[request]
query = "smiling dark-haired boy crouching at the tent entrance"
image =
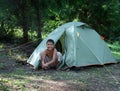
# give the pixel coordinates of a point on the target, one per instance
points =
(50, 57)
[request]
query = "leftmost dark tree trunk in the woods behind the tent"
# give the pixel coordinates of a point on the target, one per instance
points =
(21, 13)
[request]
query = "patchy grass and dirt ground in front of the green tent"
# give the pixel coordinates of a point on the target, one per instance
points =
(15, 76)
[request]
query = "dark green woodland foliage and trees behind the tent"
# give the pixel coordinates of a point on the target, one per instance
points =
(43, 16)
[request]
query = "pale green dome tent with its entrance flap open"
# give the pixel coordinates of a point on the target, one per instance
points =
(81, 46)
